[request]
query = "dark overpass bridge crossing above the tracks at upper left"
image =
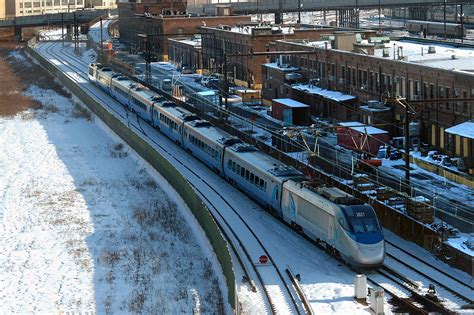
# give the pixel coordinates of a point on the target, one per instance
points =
(81, 16)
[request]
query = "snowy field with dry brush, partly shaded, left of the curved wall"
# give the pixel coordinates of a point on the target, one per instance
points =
(87, 226)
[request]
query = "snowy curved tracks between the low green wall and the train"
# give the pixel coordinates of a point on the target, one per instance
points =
(260, 276)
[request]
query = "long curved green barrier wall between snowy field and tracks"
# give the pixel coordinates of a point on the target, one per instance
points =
(159, 163)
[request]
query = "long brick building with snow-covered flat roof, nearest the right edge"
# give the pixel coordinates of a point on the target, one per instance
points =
(398, 69)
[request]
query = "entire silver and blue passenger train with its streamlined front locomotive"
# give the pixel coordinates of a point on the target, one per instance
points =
(327, 215)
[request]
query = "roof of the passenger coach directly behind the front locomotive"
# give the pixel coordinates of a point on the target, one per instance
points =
(263, 161)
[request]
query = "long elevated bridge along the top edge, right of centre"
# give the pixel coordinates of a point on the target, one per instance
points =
(280, 6)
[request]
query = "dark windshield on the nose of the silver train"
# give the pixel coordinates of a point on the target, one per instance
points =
(362, 219)
